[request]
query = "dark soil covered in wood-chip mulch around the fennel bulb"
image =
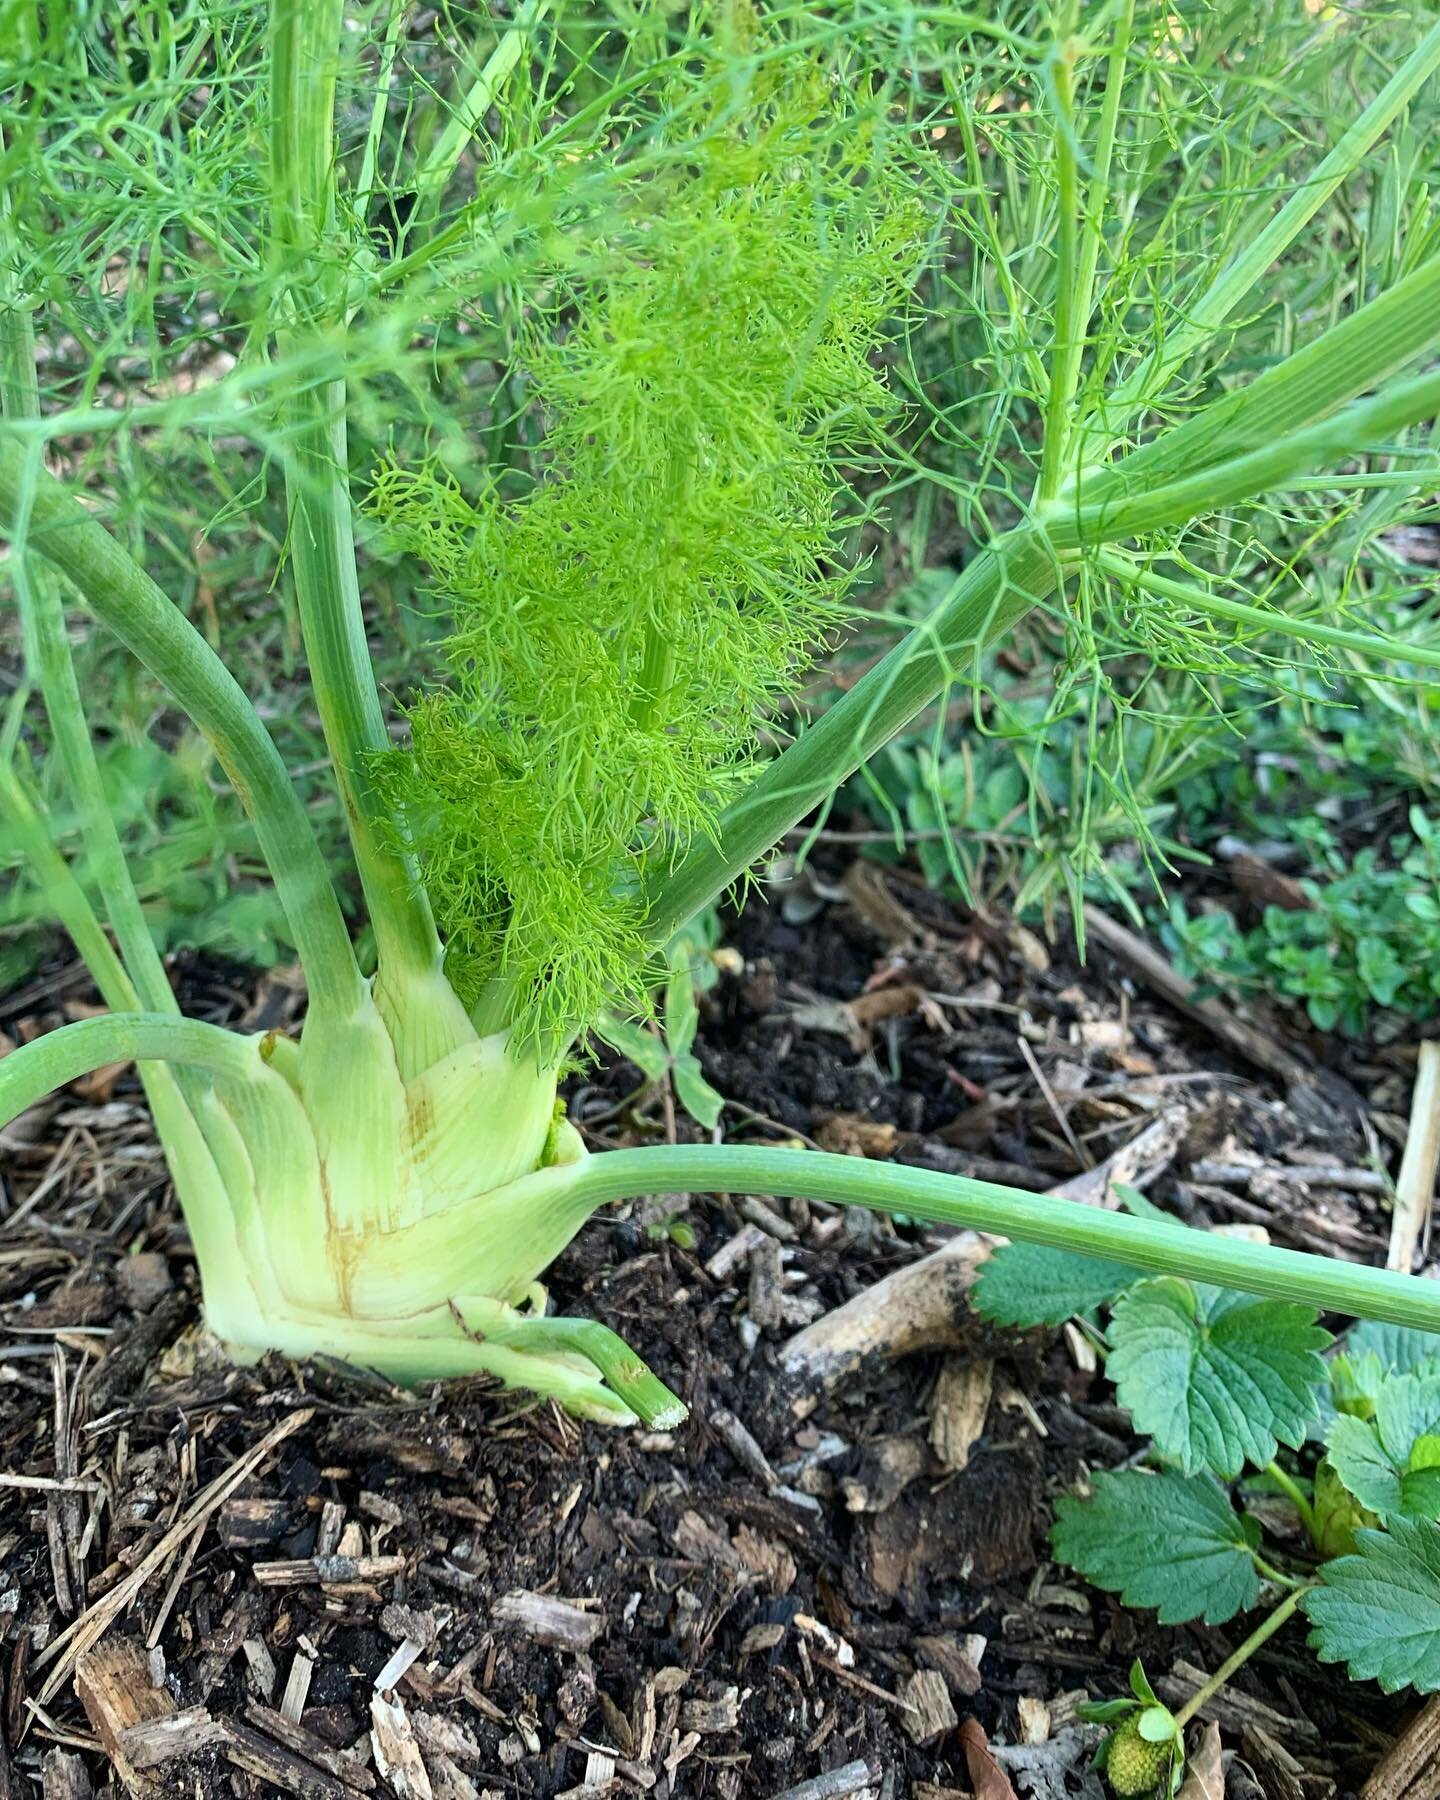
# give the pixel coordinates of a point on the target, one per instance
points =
(791, 1587)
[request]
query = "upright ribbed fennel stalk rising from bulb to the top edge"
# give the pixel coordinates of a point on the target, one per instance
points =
(305, 49)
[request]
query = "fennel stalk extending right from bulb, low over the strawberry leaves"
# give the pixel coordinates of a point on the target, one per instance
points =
(1011, 1212)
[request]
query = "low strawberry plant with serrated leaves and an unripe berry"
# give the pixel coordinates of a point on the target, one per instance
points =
(1246, 1401)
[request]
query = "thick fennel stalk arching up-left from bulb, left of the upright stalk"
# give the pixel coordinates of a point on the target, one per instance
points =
(125, 598)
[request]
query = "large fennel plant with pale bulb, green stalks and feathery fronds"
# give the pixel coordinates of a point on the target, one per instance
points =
(687, 262)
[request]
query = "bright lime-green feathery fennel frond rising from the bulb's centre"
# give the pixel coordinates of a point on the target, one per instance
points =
(624, 629)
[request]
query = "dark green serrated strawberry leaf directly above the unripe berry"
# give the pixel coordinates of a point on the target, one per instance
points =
(1165, 1542)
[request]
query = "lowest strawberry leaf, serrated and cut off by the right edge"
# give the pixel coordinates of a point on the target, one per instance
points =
(1380, 1610)
